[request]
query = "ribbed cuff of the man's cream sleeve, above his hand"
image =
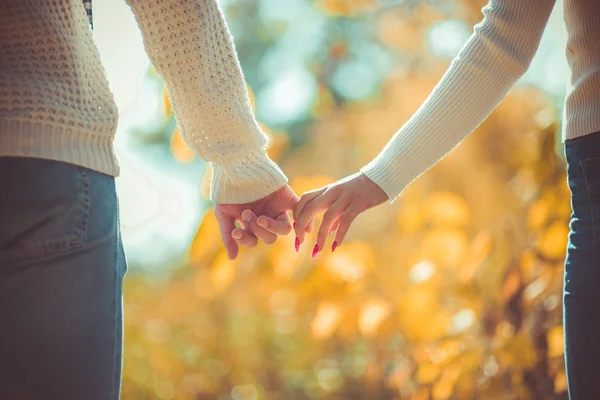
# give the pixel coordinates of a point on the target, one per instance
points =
(245, 181)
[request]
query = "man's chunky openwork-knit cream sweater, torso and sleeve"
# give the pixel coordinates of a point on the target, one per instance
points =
(55, 102)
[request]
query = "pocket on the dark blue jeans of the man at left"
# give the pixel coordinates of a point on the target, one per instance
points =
(46, 206)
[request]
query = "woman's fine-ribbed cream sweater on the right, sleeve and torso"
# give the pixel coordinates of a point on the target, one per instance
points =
(496, 55)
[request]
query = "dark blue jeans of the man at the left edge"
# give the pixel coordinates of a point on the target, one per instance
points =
(61, 270)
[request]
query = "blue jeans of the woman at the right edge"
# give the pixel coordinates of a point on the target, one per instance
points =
(582, 270)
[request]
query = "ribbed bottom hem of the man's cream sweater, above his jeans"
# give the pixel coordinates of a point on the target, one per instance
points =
(30, 139)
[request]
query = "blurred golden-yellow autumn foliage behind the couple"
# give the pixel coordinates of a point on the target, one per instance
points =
(451, 292)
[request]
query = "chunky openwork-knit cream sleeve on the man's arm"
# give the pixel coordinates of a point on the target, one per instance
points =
(190, 45)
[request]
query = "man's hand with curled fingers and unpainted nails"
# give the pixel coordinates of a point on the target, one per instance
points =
(273, 220)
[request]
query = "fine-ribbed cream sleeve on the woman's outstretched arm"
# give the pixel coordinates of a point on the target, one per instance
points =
(493, 59)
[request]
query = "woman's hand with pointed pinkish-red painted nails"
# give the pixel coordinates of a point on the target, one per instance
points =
(342, 202)
